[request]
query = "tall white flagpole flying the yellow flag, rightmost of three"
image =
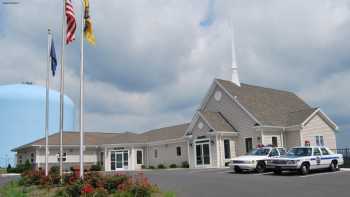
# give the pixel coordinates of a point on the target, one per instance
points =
(82, 93)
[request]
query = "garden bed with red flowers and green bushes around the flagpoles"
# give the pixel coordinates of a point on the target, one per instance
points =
(95, 184)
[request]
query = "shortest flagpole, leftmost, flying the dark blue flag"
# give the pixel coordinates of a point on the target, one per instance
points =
(47, 103)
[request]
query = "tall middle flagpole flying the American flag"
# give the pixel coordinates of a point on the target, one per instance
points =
(62, 91)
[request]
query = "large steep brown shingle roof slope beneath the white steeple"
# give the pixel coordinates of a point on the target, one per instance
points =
(269, 106)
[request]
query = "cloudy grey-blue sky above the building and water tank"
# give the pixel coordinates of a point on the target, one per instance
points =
(154, 60)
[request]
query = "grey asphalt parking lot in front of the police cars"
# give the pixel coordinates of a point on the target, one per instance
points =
(222, 182)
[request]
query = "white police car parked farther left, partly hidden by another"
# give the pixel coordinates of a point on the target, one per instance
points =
(256, 159)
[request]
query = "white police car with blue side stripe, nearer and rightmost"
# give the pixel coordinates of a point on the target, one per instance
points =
(305, 159)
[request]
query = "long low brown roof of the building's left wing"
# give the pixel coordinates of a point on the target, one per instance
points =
(72, 138)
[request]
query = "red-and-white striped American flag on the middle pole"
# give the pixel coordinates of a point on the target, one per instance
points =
(71, 23)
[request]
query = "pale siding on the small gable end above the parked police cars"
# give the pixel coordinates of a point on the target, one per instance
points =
(318, 127)
